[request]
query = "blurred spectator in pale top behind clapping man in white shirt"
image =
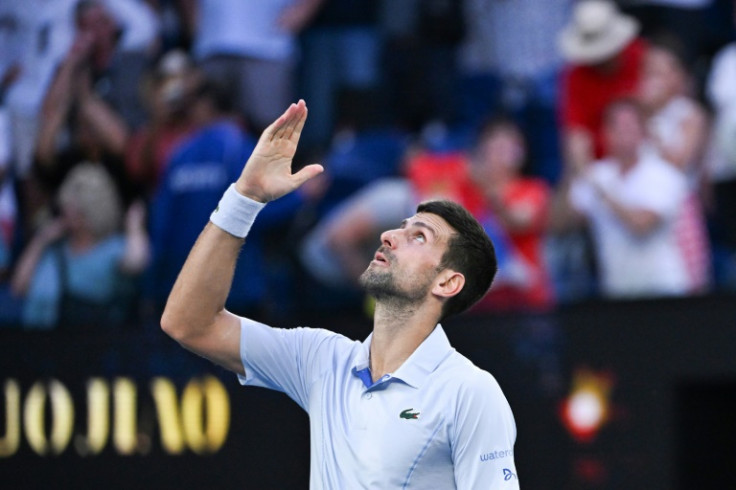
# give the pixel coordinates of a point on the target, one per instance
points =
(678, 126)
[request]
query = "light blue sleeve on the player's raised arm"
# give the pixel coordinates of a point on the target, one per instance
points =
(286, 360)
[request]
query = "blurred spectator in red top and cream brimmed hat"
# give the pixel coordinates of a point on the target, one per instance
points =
(604, 57)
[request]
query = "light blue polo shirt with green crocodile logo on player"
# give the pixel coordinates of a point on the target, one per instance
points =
(437, 422)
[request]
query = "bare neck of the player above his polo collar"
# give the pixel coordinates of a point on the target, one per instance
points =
(397, 332)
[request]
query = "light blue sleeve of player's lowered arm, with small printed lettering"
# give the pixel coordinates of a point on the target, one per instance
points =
(485, 432)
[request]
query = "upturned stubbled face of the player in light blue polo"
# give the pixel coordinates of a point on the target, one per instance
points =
(407, 263)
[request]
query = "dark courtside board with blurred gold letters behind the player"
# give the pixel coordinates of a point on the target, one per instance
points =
(605, 395)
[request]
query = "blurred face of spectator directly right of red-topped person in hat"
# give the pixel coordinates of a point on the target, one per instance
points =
(662, 77)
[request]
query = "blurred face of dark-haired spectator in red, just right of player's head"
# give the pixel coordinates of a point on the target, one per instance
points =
(500, 153)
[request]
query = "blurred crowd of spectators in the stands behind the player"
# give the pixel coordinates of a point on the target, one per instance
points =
(594, 140)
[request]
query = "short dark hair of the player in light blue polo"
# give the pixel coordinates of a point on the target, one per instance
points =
(469, 251)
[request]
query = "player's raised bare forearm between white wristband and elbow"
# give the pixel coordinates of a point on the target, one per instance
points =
(200, 291)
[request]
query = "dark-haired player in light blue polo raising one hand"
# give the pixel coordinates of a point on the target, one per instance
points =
(402, 408)
